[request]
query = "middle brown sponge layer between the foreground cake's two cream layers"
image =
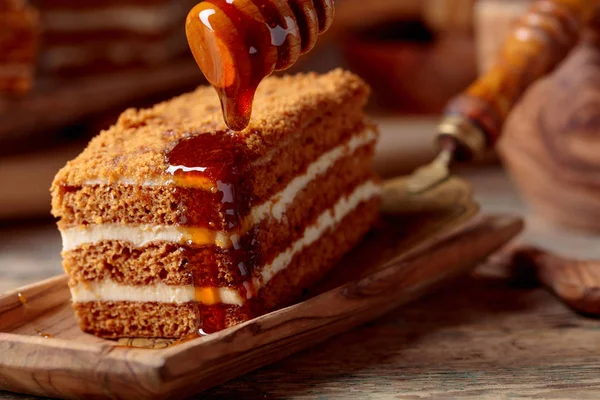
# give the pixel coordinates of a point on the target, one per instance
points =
(169, 263)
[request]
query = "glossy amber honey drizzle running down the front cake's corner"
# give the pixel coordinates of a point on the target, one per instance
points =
(218, 158)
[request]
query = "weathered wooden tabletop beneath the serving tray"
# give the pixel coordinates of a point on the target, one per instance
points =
(483, 337)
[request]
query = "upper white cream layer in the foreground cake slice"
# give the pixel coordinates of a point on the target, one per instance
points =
(275, 207)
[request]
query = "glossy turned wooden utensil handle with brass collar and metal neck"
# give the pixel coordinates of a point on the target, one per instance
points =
(473, 121)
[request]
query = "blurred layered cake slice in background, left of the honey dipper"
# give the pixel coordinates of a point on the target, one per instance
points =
(83, 37)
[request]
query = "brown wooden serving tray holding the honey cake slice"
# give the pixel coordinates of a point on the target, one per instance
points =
(43, 352)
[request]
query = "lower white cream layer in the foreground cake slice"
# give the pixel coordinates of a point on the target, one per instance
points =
(111, 291)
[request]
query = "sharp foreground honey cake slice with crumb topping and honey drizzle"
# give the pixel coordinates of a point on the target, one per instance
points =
(173, 225)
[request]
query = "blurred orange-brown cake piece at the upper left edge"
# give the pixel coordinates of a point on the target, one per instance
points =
(19, 33)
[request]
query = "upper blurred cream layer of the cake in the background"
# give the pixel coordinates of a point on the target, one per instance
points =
(145, 19)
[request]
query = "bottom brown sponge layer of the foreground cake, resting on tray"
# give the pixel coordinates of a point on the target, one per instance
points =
(150, 319)
